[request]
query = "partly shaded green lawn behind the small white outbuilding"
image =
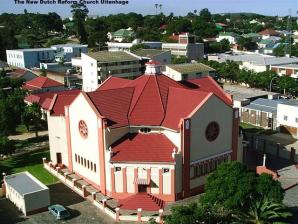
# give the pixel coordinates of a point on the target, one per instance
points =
(31, 162)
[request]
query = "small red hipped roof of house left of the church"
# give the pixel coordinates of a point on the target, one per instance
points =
(41, 82)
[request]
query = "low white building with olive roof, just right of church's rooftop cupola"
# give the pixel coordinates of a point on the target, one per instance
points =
(188, 71)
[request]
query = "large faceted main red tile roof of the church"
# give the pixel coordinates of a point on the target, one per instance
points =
(152, 100)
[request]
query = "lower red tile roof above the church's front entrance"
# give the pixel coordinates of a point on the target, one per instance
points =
(143, 148)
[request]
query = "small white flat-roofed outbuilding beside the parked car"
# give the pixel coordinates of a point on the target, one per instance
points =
(26, 192)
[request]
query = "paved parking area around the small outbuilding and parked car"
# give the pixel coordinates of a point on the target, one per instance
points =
(81, 210)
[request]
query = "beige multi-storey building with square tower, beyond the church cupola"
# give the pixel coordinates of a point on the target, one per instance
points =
(186, 47)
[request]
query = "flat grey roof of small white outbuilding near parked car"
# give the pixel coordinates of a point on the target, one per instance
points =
(24, 183)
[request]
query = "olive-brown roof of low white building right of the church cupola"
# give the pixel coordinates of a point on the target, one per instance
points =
(190, 67)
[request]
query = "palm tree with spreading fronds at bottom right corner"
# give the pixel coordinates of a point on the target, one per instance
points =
(262, 212)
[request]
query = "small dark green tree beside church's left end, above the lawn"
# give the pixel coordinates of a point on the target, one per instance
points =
(32, 117)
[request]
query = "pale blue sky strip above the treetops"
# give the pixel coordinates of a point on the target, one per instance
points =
(178, 7)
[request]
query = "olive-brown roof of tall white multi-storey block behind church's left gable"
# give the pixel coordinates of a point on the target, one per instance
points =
(112, 56)
